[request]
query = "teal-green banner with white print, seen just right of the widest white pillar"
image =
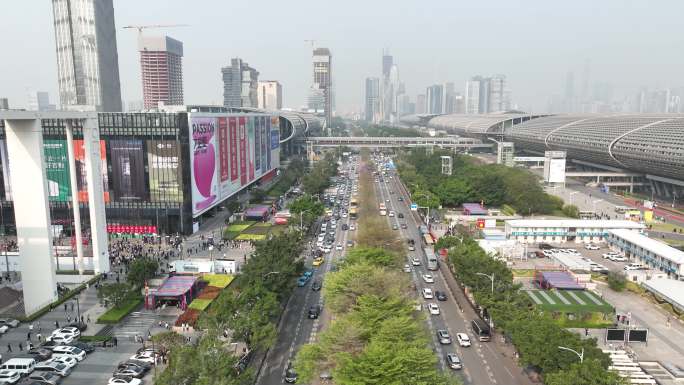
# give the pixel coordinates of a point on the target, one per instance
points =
(57, 170)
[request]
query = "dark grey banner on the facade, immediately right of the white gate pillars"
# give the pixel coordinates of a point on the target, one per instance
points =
(128, 170)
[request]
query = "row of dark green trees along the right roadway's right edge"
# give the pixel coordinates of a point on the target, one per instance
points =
(535, 334)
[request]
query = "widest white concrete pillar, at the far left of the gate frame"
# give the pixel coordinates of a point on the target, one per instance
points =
(32, 212)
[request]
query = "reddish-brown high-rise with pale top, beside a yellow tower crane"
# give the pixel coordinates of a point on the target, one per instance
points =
(161, 64)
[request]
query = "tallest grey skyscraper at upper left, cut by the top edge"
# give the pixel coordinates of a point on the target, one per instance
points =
(87, 58)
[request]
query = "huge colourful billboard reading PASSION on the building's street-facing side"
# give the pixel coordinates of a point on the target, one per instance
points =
(229, 152)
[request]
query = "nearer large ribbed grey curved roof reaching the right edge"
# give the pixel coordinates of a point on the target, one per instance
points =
(648, 143)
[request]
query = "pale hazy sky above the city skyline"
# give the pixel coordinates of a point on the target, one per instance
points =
(534, 42)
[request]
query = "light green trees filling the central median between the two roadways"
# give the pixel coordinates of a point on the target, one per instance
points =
(377, 336)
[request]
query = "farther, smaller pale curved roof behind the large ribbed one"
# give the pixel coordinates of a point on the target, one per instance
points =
(479, 124)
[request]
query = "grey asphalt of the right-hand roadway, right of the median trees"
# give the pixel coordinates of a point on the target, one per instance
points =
(483, 362)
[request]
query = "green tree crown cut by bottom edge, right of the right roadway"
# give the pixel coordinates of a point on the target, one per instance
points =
(591, 372)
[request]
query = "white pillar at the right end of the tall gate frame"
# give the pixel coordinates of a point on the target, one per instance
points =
(98, 221)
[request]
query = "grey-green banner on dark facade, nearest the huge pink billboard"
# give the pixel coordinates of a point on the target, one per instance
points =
(163, 163)
